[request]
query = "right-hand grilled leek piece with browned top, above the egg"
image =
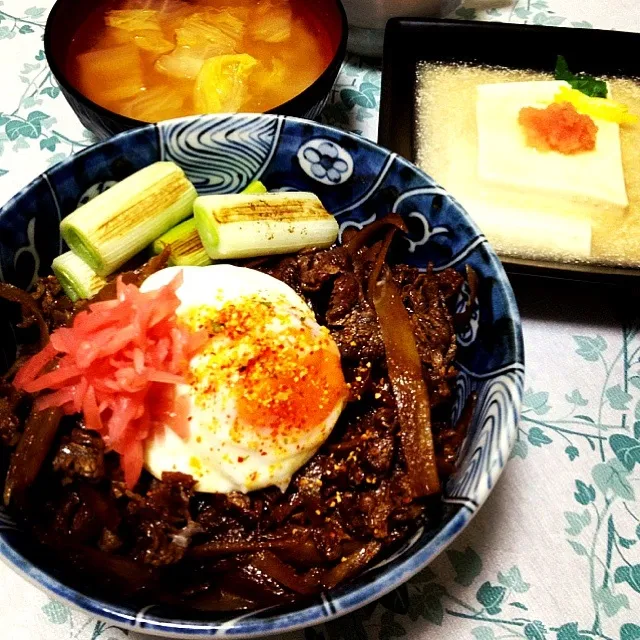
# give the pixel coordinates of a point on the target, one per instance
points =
(245, 225)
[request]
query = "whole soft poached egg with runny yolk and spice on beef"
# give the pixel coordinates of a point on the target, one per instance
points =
(263, 393)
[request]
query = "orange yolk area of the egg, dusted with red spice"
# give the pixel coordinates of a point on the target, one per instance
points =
(283, 369)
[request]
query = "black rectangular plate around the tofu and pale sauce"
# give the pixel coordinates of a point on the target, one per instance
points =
(409, 42)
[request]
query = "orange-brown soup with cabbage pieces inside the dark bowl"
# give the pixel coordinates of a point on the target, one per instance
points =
(158, 59)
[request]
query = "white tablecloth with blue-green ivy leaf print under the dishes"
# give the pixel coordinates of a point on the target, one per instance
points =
(555, 552)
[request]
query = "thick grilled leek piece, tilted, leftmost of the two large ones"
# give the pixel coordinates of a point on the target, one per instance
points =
(117, 224)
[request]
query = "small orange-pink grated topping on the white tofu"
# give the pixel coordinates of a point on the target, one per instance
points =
(559, 128)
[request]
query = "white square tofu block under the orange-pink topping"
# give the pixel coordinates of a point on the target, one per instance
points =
(580, 185)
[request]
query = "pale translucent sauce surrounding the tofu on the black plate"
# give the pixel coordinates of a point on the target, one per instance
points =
(447, 149)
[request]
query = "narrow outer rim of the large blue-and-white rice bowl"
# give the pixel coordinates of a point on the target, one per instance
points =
(352, 598)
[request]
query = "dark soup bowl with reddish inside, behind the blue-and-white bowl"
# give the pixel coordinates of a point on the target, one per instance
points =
(68, 16)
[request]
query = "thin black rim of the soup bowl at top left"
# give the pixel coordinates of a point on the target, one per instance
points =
(61, 77)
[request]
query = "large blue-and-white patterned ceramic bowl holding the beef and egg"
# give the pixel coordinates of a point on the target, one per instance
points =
(358, 182)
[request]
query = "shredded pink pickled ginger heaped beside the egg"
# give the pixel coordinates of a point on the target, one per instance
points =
(118, 365)
